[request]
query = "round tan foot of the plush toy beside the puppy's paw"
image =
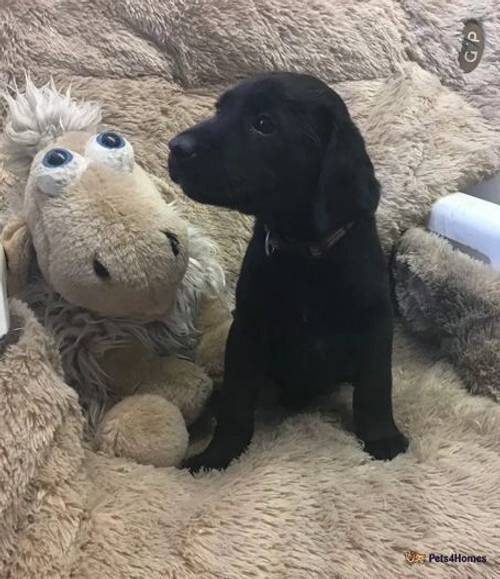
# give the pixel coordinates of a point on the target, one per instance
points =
(145, 428)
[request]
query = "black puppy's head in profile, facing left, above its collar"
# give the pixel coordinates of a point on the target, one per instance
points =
(282, 143)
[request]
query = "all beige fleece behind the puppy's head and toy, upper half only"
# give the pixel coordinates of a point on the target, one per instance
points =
(156, 66)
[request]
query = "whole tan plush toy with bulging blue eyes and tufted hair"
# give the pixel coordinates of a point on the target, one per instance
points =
(131, 291)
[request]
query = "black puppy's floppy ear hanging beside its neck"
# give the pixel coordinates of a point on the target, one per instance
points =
(347, 187)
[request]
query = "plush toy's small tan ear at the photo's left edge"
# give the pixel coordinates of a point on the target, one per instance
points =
(16, 241)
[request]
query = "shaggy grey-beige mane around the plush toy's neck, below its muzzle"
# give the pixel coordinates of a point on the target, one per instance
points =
(83, 336)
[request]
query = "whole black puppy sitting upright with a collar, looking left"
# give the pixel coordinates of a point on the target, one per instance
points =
(313, 303)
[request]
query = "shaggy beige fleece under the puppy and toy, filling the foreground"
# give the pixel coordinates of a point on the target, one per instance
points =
(304, 502)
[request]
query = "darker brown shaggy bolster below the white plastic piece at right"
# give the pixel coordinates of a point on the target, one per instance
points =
(453, 302)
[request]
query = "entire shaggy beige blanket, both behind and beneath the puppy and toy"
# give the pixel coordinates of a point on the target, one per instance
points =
(304, 501)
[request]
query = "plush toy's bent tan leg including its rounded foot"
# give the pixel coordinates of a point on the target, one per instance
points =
(160, 396)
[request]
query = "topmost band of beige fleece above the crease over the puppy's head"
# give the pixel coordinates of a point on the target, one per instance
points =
(213, 41)
